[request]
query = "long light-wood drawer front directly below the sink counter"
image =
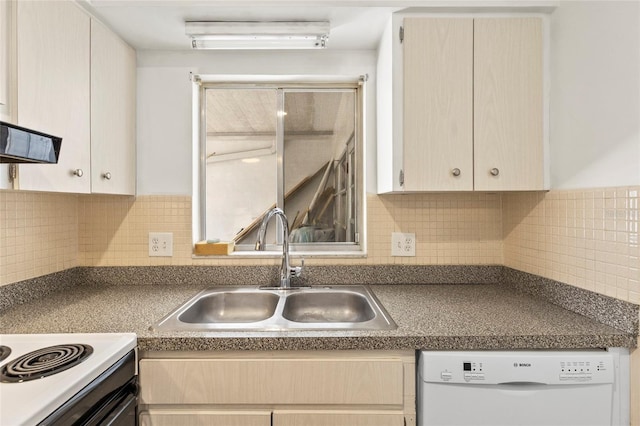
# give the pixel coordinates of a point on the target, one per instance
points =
(272, 381)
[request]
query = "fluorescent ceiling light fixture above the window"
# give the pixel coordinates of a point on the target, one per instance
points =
(257, 35)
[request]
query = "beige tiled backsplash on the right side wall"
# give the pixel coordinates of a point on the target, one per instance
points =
(587, 238)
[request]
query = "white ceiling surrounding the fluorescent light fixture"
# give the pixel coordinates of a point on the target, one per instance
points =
(159, 25)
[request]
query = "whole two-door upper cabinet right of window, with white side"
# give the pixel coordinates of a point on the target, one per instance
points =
(461, 104)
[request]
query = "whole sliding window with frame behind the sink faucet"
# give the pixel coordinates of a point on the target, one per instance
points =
(297, 146)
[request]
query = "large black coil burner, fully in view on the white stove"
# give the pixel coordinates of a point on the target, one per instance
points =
(44, 362)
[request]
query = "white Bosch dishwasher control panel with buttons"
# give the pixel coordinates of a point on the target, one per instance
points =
(543, 367)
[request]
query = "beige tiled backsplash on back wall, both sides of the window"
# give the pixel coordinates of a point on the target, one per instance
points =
(449, 228)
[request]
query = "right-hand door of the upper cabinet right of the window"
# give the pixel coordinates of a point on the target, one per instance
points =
(508, 104)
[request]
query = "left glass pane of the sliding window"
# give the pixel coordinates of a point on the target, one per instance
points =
(240, 159)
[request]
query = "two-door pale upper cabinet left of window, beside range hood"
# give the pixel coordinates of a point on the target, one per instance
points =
(76, 80)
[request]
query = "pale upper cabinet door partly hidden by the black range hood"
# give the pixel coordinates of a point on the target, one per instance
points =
(53, 90)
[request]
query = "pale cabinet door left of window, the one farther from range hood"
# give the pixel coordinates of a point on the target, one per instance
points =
(113, 113)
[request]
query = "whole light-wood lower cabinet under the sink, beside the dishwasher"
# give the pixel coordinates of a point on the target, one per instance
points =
(311, 388)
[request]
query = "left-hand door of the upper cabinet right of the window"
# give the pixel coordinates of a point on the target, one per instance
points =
(438, 102)
